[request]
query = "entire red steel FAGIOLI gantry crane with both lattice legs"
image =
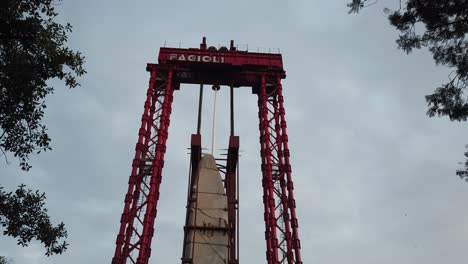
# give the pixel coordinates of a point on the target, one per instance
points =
(225, 66)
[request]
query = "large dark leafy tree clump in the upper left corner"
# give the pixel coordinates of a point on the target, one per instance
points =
(32, 51)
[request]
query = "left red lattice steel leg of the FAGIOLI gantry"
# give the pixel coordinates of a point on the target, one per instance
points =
(143, 191)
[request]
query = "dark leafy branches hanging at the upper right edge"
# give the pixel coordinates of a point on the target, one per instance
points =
(441, 27)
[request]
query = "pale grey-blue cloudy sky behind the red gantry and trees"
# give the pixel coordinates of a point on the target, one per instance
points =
(374, 176)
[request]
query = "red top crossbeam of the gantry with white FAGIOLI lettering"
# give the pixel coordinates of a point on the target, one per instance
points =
(223, 66)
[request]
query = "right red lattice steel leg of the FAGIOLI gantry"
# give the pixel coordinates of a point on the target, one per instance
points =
(283, 246)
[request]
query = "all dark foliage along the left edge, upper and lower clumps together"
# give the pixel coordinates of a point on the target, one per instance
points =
(33, 51)
